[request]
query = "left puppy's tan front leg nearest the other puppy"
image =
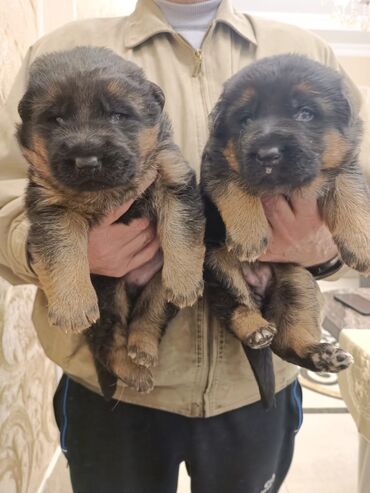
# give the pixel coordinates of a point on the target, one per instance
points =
(180, 227)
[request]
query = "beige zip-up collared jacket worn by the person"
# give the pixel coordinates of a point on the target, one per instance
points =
(202, 370)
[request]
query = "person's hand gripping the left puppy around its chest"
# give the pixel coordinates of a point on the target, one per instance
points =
(117, 250)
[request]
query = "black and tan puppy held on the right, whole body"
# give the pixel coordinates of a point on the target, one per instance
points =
(282, 124)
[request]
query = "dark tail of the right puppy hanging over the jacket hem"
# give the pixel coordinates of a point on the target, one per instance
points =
(262, 367)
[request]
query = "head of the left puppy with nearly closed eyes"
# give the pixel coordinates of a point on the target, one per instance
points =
(89, 118)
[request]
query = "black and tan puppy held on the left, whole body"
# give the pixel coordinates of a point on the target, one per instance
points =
(93, 129)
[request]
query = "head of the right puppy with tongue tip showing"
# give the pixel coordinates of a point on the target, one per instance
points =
(282, 120)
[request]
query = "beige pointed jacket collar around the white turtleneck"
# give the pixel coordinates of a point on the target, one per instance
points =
(147, 20)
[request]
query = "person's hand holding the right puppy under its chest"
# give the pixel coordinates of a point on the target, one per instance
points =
(298, 233)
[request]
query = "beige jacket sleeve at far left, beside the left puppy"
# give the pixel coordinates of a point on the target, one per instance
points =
(13, 180)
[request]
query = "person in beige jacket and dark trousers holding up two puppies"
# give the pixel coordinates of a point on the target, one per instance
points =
(205, 407)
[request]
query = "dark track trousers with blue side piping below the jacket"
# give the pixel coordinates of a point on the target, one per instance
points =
(122, 448)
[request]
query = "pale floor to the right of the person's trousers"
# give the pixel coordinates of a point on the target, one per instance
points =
(325, 459)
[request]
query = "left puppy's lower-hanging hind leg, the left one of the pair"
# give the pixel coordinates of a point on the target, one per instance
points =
(108, 340)
